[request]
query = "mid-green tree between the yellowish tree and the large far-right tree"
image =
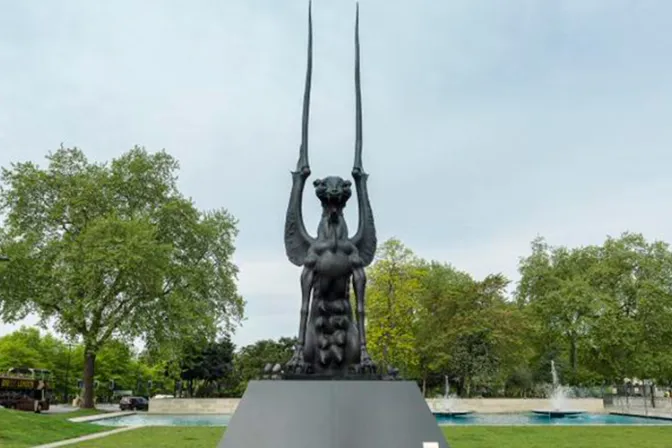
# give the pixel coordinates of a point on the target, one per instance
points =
(467, 328)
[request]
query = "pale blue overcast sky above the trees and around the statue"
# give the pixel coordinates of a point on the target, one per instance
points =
(486, 123)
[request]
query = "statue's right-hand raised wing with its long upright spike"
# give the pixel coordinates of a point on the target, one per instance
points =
(365, 239)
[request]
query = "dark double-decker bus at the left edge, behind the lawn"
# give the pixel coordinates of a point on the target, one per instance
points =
(25, 389)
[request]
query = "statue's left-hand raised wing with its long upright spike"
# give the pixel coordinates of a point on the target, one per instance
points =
(297, 239)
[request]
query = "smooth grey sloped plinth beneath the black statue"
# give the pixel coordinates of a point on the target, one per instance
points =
(333, 414)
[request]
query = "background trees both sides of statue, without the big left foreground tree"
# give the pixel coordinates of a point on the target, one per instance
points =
(603, 314)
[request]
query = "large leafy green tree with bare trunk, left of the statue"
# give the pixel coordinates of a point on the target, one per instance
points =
(114, 250)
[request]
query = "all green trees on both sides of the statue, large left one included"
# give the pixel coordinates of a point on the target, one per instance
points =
(110, 253)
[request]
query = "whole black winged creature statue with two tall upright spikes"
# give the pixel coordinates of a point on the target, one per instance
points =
(329, 341)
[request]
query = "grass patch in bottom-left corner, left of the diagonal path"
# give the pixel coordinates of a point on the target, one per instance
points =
(20, 429)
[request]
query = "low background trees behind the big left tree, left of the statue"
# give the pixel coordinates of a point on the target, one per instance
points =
(207, 368)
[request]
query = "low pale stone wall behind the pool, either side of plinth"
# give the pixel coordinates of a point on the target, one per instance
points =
(483, 405)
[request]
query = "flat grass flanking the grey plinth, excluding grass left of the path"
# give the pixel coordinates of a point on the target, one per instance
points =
(458, 437)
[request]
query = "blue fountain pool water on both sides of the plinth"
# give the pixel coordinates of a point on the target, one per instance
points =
(142, 419)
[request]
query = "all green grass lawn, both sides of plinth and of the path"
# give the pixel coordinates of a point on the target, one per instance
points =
(25, 429)
